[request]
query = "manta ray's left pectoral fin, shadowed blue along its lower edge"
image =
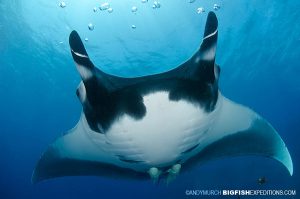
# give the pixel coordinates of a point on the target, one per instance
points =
(75, 154)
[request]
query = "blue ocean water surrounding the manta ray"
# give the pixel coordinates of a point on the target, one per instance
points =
(258, 52)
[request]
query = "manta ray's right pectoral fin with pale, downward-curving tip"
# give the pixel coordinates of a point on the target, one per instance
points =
(240, 131)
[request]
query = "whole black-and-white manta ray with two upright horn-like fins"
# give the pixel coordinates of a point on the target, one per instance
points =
(155, 126)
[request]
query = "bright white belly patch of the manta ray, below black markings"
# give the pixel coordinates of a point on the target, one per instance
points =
(161, 137)
